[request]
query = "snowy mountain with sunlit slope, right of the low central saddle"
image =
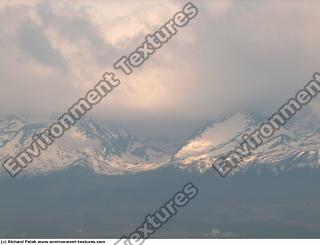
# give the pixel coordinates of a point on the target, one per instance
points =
(293, 145)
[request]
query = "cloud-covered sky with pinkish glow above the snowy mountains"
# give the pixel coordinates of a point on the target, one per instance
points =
(235, 55)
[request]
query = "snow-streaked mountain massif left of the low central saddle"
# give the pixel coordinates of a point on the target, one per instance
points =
(105, 149)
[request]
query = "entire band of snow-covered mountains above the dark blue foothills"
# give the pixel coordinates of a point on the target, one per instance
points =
(111, 150)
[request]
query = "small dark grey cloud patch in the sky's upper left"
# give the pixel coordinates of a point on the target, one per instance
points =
(33, 41)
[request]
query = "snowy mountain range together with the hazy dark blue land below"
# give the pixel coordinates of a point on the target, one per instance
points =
(99, 181)
